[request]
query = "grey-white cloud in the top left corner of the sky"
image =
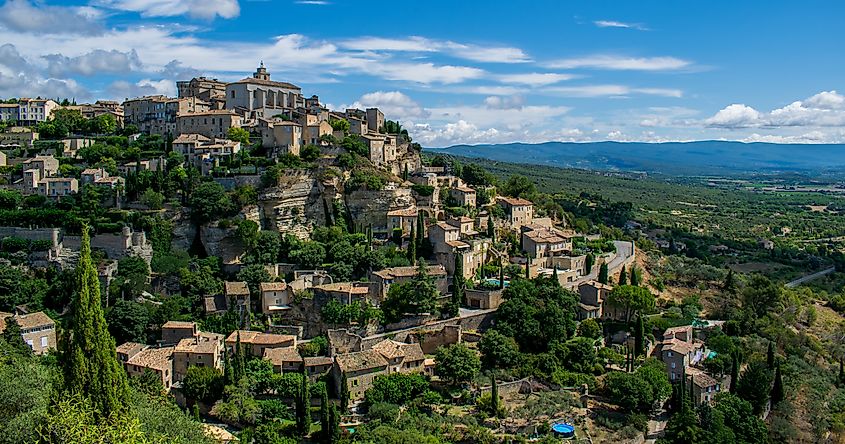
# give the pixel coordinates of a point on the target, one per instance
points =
(26, 17)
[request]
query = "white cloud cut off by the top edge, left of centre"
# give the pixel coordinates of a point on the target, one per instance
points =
(202, 9)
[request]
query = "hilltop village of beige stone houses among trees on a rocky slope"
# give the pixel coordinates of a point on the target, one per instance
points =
(244, 232)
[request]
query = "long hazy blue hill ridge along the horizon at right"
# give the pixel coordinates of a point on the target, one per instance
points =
(674, 158)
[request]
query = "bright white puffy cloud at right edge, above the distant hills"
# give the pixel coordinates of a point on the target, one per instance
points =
(825, 109)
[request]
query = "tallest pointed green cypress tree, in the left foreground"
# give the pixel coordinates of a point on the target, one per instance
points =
(88, 360)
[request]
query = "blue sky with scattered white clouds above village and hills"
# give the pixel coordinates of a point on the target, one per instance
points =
(455, 72)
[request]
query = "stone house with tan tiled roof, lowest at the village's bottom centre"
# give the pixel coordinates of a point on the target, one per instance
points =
(360, 369)
